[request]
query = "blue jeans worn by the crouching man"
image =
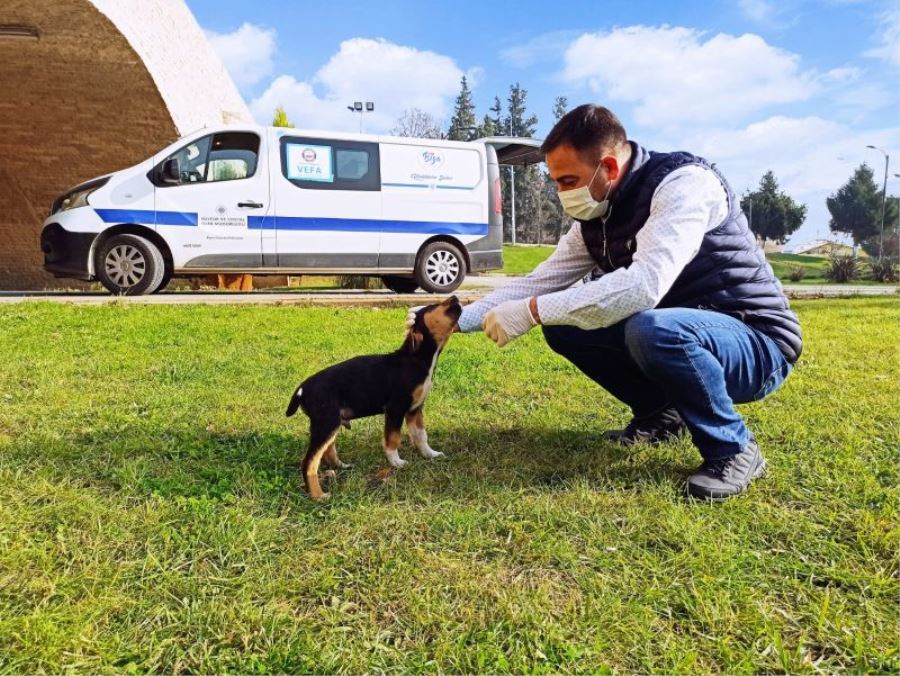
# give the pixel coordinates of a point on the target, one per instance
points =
(699, 361)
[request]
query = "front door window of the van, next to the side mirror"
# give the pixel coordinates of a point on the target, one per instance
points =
(227, 156)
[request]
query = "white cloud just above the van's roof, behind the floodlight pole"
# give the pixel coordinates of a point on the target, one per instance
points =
(395, 77)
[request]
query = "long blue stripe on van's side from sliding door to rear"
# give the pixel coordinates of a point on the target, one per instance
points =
(365, 225)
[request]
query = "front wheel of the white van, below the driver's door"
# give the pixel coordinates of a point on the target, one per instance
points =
(129, 265)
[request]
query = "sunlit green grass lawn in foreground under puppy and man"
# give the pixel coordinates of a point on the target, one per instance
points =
(151, 516)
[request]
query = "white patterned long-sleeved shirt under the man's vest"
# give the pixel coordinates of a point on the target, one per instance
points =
(687, 204)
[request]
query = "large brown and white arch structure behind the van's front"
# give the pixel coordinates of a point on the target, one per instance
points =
(89, 87)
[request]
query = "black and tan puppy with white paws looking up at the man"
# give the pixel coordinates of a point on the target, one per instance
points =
(395, 384)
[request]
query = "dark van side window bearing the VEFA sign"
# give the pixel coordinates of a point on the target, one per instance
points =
(319, 164)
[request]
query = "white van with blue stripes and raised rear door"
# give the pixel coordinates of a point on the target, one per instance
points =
(271, 200)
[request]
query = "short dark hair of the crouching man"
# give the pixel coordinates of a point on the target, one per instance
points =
(591, 130)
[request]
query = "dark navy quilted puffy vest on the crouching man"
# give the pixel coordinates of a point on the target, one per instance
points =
(729, 274)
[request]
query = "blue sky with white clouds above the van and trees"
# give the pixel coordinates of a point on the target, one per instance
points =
(795, 86)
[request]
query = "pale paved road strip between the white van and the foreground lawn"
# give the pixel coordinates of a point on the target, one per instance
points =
(473, 288)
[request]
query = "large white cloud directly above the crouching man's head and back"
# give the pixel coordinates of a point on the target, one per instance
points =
(675, 76)
